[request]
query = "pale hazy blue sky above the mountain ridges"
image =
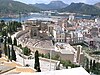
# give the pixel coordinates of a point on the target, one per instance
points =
(66, 1)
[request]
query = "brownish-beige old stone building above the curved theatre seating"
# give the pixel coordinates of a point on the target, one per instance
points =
(38, 29)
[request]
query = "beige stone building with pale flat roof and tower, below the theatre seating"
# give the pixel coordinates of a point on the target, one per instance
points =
(65, 51)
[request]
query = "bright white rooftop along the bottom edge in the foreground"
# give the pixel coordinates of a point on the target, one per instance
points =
(73, 71)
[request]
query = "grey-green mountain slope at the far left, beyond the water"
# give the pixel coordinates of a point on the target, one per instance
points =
(10, 6)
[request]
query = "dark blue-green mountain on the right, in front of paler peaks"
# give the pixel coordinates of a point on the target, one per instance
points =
(82, 9)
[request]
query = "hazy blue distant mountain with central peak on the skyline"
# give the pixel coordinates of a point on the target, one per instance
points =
(53, 5)
